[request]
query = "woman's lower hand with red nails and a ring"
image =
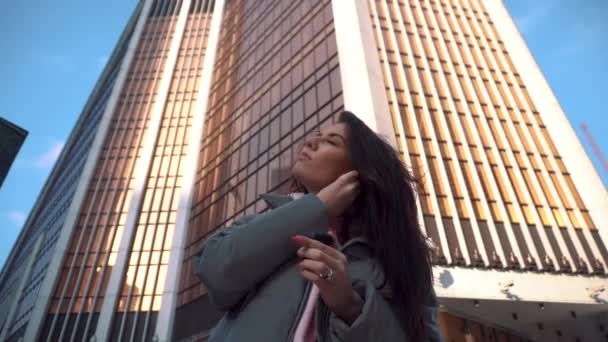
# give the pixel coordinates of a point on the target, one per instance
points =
(325, 266)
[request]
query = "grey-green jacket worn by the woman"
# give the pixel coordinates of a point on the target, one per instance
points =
(250, 271)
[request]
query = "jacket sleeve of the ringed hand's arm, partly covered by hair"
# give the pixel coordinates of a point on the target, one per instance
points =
(378, 322)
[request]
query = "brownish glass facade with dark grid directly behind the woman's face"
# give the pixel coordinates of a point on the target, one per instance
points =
(275, 78)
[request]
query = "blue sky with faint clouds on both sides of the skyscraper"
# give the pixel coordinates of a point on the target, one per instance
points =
(53, 52)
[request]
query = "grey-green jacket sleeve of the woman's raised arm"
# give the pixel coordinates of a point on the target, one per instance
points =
(233, 261)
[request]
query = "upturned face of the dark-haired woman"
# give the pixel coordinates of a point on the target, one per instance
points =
(323, 158)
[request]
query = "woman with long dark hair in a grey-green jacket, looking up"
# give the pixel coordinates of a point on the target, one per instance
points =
(374, 283)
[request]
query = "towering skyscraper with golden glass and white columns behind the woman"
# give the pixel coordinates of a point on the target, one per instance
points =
(200, 109)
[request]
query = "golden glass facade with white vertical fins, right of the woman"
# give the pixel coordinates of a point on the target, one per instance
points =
(496, 192)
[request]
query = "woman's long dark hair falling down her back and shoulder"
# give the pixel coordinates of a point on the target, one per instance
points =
(386, 212)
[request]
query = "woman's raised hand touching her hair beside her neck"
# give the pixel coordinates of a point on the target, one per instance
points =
(340, 194)
